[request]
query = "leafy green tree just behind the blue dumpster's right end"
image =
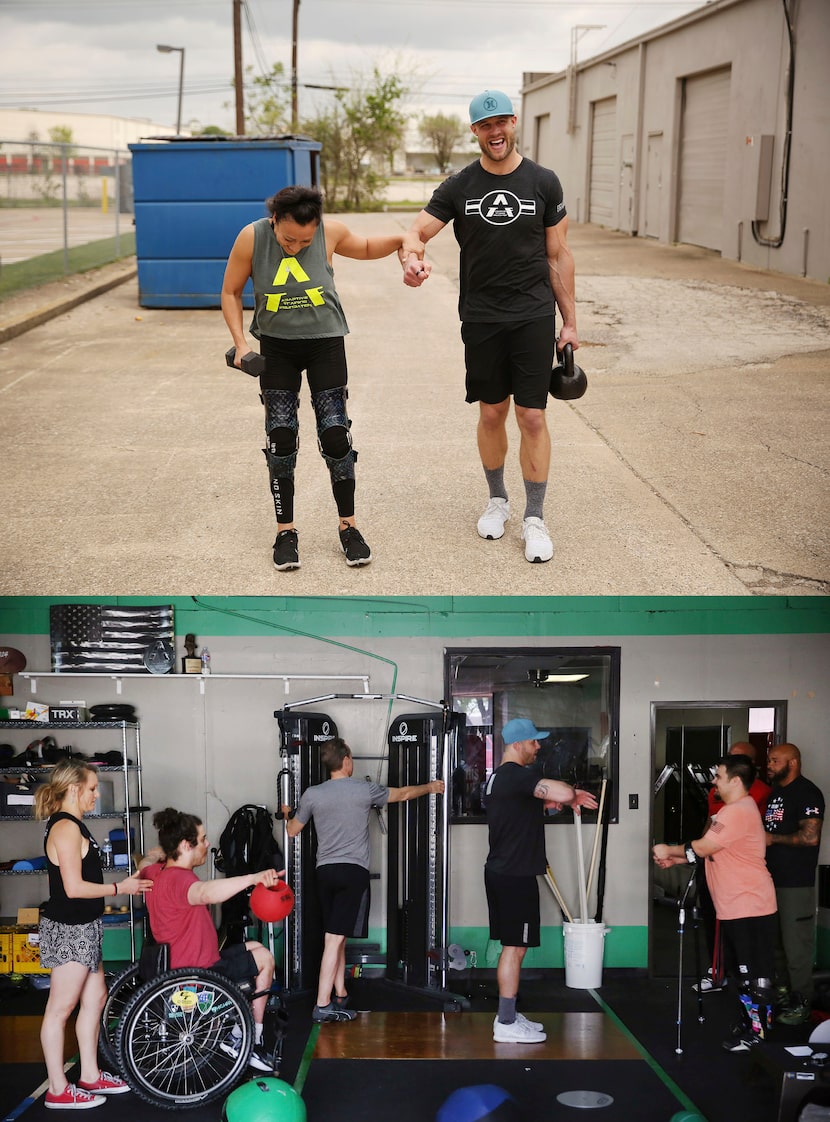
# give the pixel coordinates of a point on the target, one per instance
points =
(364, 128)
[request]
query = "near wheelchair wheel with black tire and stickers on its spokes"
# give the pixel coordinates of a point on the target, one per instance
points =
(173, 1042)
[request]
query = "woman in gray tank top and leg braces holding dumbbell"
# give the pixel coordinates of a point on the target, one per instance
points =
(301, 326)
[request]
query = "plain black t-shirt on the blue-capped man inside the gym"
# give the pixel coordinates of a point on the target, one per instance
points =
(517, 822)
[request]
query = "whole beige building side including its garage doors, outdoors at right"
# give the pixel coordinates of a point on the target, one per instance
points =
(736, 52)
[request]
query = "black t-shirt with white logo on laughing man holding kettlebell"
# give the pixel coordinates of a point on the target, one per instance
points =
(500, 223)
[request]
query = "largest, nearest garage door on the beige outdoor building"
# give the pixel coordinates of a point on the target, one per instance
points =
(703, 160)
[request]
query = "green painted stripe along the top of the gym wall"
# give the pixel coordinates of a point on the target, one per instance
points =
(459, 618)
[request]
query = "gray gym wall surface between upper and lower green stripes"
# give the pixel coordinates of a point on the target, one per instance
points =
(210, 752)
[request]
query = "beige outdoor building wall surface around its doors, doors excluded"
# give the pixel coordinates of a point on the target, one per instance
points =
(647, 76)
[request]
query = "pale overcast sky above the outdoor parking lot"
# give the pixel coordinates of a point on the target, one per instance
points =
(99, 57)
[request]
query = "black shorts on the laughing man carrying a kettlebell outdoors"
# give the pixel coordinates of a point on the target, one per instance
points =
(510, 361)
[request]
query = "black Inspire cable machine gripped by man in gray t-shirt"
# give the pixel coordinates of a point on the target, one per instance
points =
(421, 748)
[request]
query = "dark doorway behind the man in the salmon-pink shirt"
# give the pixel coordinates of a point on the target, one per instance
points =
(688, 739)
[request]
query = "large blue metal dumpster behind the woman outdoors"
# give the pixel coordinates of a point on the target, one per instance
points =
(192, 199)
